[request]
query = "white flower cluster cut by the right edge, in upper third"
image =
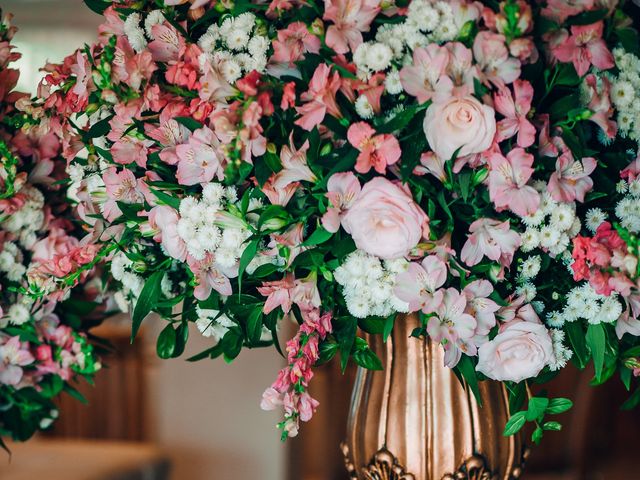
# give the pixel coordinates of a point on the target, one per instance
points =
(625, 94)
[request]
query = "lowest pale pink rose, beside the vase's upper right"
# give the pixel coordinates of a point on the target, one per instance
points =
(520, 351)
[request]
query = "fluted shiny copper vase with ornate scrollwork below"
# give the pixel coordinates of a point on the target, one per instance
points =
(415, 421)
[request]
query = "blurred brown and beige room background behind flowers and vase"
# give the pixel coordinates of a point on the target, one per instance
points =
(149, 419)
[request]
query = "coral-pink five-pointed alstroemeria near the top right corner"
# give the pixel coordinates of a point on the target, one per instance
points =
(585, 47)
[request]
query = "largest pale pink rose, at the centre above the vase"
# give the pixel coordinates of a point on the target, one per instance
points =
(384, 220)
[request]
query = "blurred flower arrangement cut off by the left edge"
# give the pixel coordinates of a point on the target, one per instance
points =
(42, 346)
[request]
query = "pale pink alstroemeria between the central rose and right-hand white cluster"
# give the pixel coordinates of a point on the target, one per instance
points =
(492, 239)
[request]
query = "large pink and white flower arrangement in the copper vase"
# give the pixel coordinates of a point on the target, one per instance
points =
(337, 163)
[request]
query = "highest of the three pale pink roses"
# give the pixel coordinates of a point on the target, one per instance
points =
(459, 123)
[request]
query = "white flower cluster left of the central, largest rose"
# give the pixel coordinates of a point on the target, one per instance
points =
(199, 229)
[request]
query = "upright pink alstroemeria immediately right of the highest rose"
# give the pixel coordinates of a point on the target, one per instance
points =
(515, 111)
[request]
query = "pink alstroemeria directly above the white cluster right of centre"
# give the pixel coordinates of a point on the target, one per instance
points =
(571, 180)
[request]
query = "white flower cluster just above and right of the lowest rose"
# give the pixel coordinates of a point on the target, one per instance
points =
(584, 303)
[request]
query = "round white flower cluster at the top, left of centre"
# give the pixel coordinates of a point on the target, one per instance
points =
(236, 46)
